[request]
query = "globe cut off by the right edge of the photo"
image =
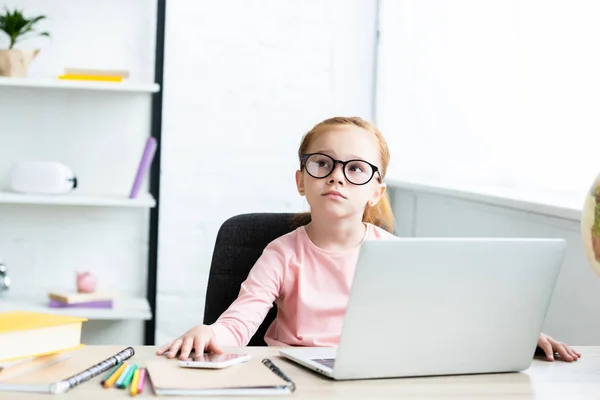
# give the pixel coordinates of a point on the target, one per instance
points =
(590, 225)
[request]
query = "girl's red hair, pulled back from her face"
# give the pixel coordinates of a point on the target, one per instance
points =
(381, 213)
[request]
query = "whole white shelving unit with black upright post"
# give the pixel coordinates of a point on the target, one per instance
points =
(99, 130)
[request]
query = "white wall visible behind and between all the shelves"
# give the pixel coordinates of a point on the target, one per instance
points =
(100, 135)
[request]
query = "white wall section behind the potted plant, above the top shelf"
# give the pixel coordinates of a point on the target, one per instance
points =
(110, 34)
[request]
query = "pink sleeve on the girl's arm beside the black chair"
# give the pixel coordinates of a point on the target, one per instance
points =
(237, 325)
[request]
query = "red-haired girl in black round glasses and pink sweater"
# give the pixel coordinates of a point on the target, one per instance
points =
(309, 271)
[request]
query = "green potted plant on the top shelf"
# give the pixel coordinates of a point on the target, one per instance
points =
(15, 62)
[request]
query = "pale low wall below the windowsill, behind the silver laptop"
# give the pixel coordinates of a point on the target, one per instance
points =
(573, 316)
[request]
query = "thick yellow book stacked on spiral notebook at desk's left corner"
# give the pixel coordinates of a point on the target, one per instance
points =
(43, 353)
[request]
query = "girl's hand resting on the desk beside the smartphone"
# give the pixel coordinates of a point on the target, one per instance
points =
(201, 338)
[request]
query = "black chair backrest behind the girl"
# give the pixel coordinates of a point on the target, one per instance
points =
(240, 242)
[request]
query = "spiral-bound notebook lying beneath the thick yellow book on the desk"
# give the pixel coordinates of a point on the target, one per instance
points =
(63, 371)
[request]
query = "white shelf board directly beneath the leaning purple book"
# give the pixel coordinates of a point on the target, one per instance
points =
(142, 201)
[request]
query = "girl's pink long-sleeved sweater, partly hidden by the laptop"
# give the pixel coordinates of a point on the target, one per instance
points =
(310, 286)
